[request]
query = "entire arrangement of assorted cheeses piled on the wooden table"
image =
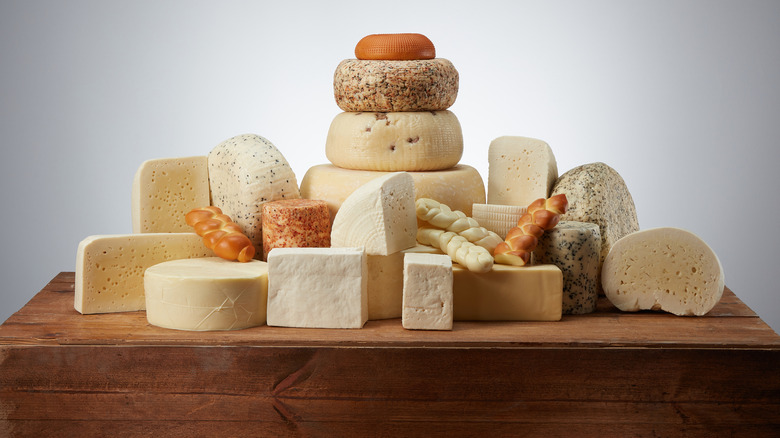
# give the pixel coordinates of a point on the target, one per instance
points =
(394, 227)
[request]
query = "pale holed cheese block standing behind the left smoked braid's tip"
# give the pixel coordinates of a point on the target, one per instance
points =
(165, 190)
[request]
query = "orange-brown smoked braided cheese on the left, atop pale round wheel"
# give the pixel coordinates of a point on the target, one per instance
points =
(220, 234)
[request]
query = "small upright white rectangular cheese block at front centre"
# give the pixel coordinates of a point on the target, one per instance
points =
(427, 292)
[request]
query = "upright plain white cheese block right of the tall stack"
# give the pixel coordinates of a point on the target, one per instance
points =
(520, 170)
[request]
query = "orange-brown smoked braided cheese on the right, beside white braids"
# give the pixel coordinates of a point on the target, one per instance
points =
(542, 215)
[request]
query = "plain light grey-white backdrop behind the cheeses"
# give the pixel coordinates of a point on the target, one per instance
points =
(682, 98)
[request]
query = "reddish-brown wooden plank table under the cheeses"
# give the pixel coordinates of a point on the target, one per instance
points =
(603, 374)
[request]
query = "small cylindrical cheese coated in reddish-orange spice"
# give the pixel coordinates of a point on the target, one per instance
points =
(295, 223)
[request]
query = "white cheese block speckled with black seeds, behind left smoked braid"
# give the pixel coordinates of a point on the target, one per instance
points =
(244, 173)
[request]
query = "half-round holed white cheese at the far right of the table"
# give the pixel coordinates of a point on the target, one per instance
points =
(665, 269)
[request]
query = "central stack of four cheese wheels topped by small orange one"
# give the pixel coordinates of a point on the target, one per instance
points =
(395, 97)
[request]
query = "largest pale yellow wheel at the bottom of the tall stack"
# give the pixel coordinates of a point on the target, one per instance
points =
(459, 187)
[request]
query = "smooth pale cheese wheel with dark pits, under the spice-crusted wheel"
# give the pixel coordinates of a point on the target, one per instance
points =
(401, 141)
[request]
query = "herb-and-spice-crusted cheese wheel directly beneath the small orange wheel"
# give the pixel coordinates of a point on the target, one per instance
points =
(395, 86)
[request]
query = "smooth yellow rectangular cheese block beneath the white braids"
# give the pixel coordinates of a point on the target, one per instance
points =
(508, 293)
